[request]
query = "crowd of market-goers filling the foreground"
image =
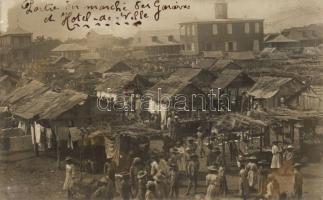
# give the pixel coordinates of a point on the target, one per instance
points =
(166, 175)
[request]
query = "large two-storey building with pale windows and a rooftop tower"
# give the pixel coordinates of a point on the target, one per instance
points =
(222, 33)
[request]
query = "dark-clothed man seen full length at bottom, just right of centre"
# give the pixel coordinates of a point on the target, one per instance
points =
(192, 173)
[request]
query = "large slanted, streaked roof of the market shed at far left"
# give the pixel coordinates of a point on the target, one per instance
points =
(35, 99)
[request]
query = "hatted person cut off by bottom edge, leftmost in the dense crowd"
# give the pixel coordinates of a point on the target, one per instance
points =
(105, 191)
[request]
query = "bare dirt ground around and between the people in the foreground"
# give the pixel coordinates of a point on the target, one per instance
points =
(38, 178)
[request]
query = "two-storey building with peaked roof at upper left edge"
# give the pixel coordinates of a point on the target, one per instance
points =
(15, 46)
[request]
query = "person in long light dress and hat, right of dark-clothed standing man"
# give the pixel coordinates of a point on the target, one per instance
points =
(212, 183)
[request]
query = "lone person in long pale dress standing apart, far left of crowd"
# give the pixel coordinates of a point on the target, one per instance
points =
(69, 177)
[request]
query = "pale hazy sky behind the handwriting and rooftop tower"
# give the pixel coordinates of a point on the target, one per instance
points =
(278, 14)
